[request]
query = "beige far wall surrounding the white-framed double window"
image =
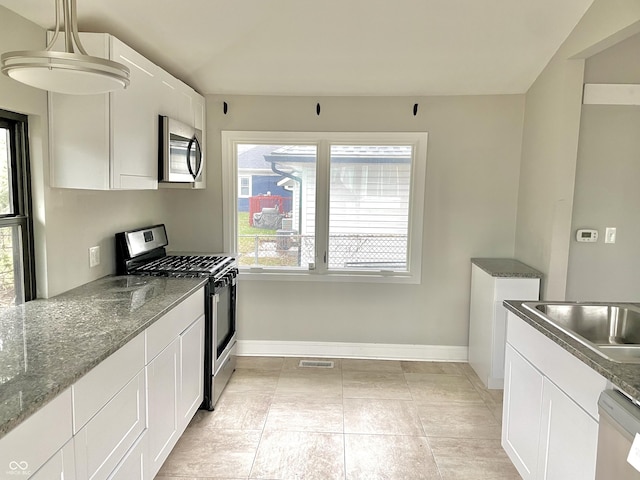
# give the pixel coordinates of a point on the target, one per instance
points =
(472, 176)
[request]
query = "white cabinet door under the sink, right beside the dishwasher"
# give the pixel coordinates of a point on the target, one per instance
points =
(568, 438)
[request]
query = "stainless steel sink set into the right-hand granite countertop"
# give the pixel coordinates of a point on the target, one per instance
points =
(610, 330)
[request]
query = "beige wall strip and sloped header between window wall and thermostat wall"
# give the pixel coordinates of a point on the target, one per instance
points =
(550, 143)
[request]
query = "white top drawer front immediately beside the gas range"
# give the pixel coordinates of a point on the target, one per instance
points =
(167, 328)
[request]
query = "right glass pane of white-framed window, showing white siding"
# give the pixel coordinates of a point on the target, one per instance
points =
(369, 207)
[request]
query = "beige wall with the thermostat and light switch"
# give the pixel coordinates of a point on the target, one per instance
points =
(607, 192)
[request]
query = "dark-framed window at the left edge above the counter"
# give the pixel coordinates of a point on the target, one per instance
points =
(17, 283)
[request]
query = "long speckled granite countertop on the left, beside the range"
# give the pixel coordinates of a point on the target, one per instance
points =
(47, 345)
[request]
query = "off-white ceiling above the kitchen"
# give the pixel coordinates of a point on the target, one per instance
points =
(335, 47)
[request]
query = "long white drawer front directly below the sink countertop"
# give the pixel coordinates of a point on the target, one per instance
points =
(575, 378)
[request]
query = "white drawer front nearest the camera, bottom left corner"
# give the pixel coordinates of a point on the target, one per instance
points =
(27, 447)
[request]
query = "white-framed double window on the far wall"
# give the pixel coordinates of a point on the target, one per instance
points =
(329, 205)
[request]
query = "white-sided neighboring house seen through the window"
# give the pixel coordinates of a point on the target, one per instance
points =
(369, 201)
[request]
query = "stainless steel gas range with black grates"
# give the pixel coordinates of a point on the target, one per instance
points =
(142, 252)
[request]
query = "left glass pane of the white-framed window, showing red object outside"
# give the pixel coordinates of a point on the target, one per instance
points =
(276, 224)
